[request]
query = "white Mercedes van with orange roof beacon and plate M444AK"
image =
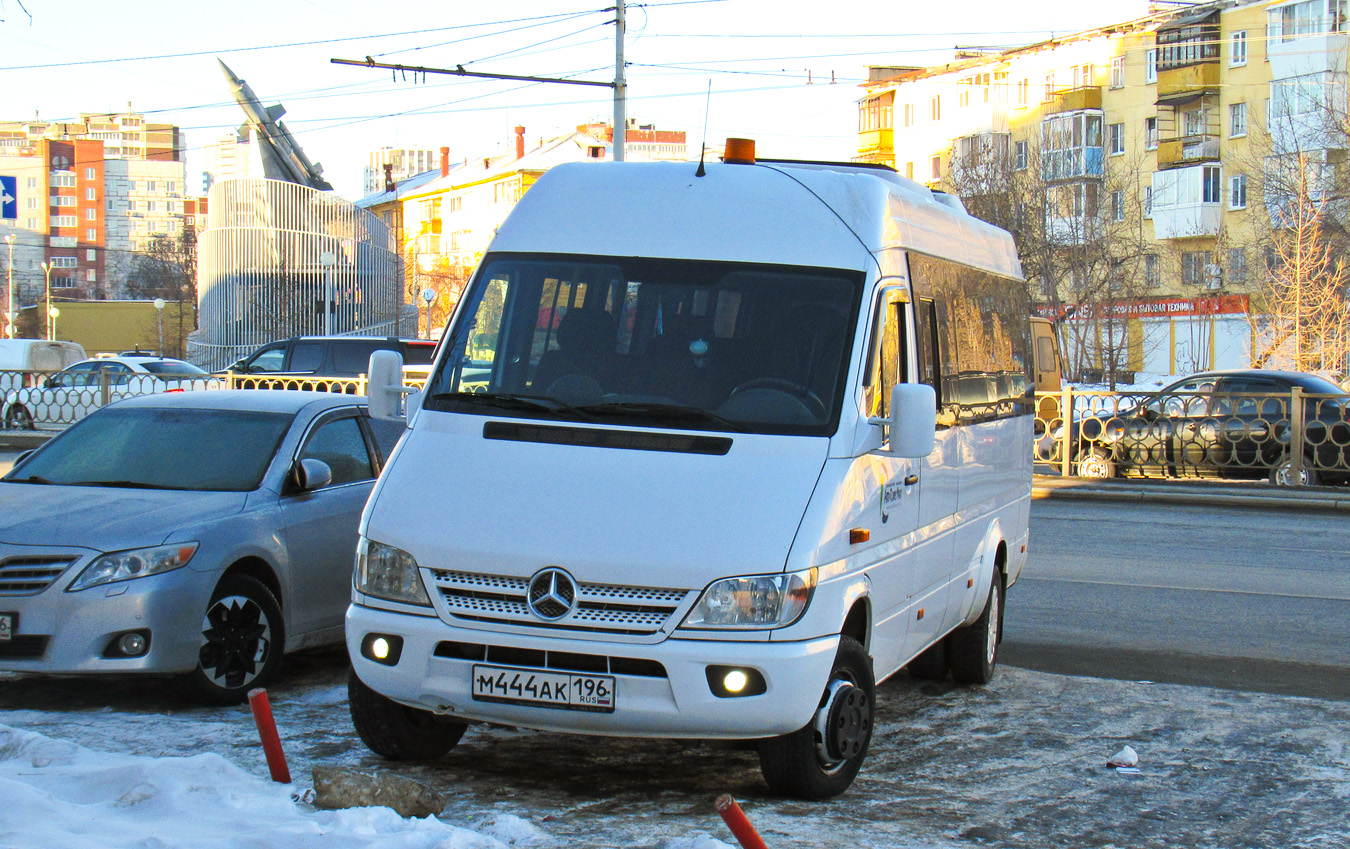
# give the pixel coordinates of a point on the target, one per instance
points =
(703, 456)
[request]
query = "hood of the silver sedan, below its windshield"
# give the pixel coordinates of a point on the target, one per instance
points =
(105, 519)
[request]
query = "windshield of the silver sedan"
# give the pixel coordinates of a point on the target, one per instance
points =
(161, 449)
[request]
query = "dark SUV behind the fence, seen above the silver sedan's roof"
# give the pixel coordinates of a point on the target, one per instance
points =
(335, 357)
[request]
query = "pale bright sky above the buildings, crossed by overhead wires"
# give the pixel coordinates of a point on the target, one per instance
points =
(785, 74)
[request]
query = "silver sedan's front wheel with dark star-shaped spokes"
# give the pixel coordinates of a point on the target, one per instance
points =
(242, 639)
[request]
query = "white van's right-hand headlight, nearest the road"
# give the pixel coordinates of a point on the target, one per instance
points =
(755, 601)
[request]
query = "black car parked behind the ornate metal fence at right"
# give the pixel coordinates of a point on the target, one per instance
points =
(1222, 424)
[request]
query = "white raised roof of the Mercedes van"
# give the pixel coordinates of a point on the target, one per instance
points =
(804, 214)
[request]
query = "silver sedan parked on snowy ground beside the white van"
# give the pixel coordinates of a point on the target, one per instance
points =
(200, 534)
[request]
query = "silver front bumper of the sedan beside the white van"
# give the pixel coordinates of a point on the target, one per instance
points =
(70, 632)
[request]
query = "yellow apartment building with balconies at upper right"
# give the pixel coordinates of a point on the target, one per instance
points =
(1137, 164)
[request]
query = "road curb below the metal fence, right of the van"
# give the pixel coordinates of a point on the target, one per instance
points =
(1268, 499)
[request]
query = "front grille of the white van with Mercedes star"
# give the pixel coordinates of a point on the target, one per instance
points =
(601, 608)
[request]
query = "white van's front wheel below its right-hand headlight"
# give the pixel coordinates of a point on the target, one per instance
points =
(805, 766)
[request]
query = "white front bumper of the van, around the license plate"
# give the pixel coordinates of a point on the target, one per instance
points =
(681, 704)
